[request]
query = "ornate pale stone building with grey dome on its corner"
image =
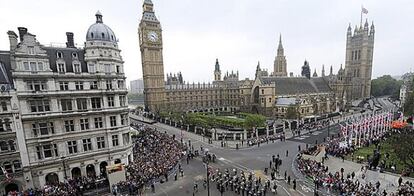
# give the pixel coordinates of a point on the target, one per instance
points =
(72, 106)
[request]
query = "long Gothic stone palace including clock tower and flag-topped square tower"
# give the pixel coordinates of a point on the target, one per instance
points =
(270, 94)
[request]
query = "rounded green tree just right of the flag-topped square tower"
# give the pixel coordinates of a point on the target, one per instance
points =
(385, 85)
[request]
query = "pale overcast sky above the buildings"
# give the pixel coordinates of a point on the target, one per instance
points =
(240, 33)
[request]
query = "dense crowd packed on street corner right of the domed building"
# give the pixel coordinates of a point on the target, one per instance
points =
(156, 155)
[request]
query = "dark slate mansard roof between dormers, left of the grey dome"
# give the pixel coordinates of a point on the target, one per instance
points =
(67, 57)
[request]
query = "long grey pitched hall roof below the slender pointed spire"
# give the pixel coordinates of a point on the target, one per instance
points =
(297, 85)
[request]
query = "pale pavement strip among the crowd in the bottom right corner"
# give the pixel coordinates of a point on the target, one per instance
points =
(388, 181)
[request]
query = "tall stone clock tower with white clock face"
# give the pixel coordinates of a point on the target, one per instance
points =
(150, 41)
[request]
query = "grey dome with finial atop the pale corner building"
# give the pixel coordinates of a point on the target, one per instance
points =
(99, 31)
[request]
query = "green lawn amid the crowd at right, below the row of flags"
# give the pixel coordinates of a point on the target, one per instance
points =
(384, 148)
